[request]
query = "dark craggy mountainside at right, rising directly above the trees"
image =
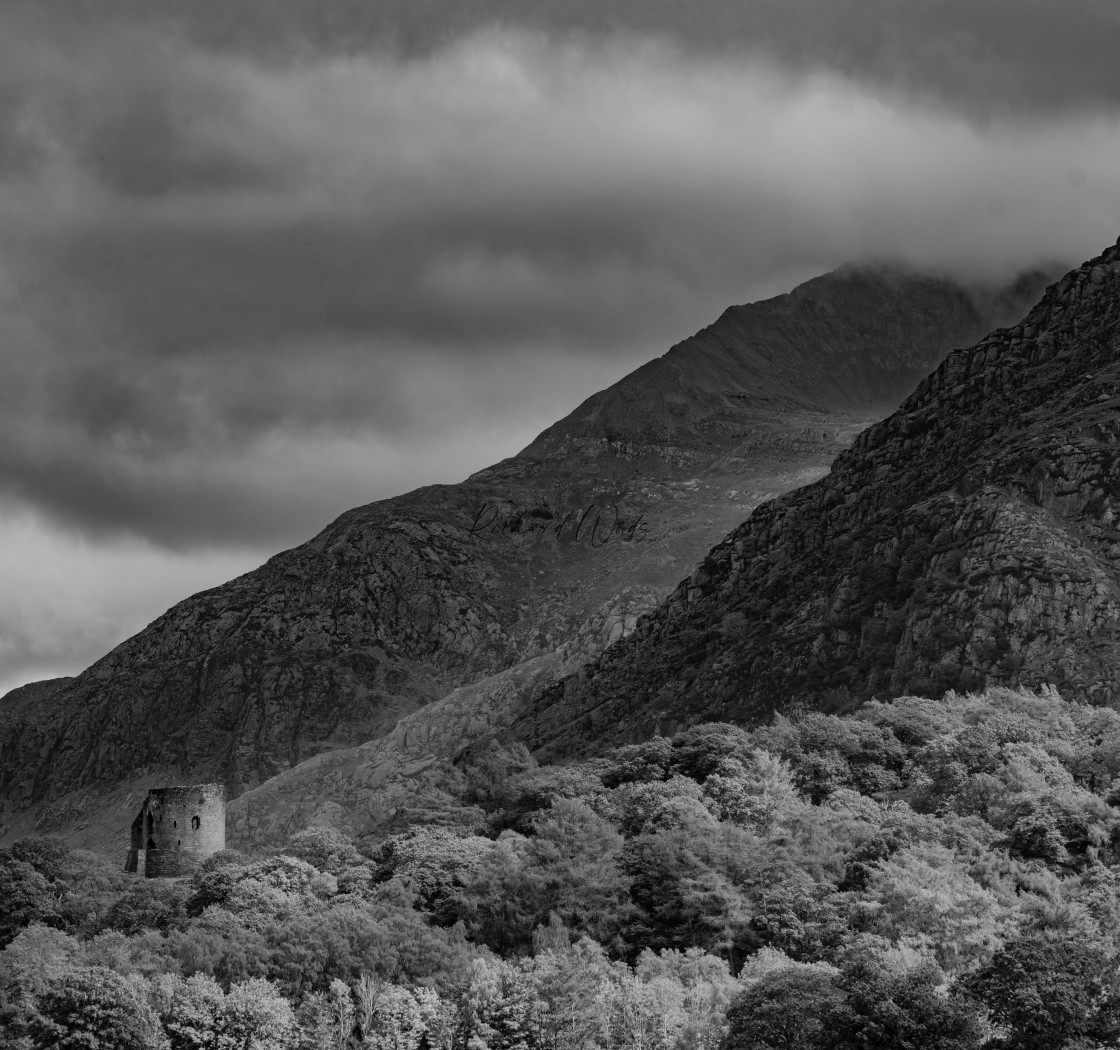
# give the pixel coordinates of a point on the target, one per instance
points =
(972, 538)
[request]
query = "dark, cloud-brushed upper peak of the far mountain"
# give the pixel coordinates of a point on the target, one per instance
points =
(771, 374)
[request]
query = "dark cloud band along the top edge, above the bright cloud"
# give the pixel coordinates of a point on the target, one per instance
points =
(1024, 57)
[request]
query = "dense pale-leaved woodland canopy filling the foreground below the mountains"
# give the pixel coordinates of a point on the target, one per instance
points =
(923, 874)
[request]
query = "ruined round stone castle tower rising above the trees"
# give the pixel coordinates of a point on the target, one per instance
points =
(176, 830)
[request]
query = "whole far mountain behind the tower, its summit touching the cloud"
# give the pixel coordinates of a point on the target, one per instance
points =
(500, 585)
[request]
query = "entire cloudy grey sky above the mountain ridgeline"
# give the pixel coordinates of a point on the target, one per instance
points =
(266, 260)
